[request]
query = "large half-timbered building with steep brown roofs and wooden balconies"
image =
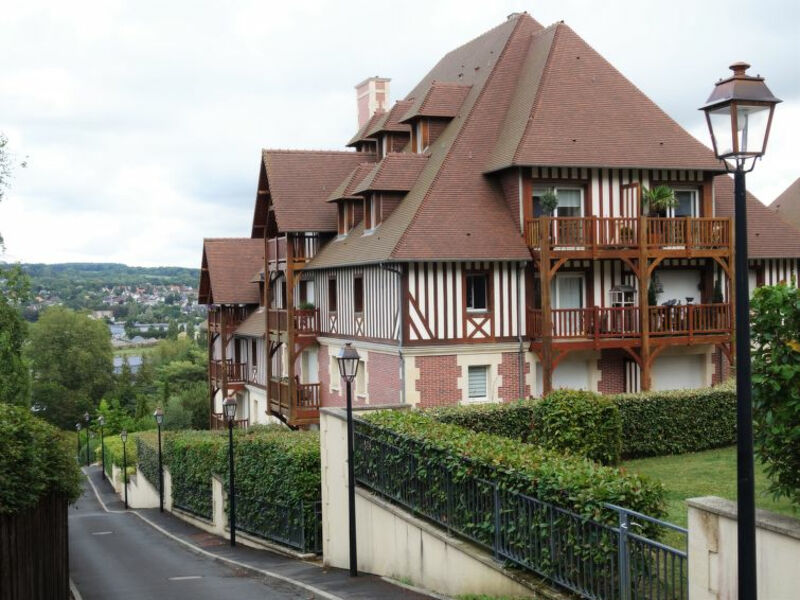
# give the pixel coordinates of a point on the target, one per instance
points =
(434, 248)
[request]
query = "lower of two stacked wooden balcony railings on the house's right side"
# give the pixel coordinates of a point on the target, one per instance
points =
(624, 322)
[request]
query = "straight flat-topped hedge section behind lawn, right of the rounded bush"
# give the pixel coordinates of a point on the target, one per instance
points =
(678, 421)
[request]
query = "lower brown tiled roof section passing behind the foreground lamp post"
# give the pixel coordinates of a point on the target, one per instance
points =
(768, 236)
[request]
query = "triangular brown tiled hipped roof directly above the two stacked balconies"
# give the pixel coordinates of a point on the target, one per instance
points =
(573, 108)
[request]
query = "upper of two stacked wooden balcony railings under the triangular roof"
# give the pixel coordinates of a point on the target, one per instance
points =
(609, 237)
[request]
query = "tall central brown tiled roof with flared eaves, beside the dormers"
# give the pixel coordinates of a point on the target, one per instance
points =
(453, 212)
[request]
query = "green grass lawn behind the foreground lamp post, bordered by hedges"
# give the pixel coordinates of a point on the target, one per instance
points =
(709, 473)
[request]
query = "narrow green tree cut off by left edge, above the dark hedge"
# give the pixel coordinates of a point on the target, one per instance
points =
(14, 374)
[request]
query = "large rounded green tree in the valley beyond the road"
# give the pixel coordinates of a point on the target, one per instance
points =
(72, 363)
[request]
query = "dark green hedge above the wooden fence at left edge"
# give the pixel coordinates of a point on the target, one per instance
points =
(35, 459)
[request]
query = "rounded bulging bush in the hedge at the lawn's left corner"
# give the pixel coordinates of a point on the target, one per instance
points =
(579, 422)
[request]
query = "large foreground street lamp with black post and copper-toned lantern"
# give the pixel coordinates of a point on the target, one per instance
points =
(739, 116)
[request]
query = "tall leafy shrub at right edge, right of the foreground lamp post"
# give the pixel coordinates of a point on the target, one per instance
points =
(776, 386)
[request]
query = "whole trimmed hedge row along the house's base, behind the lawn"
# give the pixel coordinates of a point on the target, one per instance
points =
(606, 428)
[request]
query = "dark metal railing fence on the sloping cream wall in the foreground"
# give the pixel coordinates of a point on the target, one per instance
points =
(595, 560)
